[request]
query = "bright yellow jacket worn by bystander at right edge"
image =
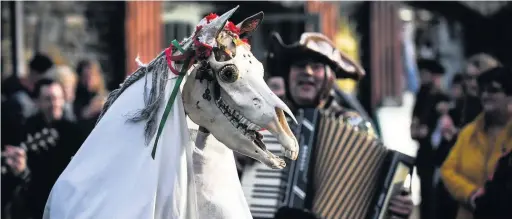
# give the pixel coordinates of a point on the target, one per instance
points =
(471, 161)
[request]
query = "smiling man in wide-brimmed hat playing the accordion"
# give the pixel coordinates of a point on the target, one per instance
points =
(309, 68)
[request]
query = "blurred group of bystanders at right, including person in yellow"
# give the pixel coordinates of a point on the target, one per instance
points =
(465, 138)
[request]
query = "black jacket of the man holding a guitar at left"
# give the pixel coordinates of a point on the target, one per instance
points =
(50, 147)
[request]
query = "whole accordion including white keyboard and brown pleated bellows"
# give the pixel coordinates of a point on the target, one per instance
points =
(342, 172)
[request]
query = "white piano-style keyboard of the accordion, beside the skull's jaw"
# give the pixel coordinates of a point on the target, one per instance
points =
(262, 185)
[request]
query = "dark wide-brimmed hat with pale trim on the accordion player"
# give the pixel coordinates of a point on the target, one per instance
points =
(318, 46)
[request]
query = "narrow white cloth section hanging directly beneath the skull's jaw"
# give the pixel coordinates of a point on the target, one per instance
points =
(219, 192)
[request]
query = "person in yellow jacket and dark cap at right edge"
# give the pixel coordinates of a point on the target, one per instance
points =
(481, 143)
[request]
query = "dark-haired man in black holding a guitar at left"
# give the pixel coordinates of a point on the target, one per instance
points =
(51, 140)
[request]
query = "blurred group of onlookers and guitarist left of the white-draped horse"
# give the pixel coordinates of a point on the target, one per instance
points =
(46, 116)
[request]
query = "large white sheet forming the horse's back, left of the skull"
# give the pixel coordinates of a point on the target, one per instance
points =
(113, 176)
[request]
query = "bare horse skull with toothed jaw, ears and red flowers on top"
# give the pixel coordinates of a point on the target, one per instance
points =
(227, 95)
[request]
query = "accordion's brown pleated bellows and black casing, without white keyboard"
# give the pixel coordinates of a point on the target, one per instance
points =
(350, 173)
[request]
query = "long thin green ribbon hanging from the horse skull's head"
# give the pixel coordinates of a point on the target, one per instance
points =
(170, 102)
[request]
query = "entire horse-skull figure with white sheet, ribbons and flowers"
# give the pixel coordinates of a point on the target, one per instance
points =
(115, 174)
